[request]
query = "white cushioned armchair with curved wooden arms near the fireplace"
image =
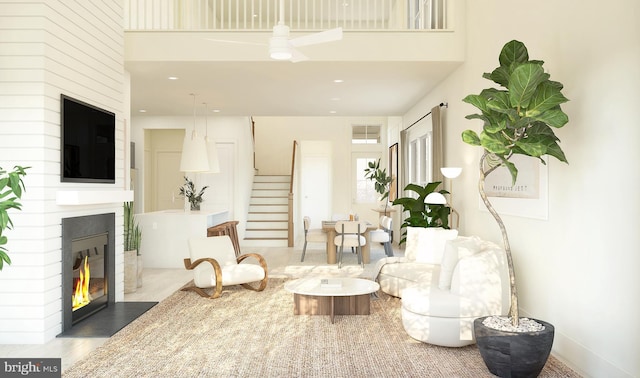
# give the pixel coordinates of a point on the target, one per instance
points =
(215, 265)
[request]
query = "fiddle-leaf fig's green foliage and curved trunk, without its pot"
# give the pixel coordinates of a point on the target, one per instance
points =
(518, 119)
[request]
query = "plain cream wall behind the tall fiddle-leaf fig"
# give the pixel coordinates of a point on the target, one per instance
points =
(578, 269)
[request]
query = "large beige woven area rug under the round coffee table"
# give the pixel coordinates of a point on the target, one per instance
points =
(255, 334)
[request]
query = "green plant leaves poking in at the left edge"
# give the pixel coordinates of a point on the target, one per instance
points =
(11, 188)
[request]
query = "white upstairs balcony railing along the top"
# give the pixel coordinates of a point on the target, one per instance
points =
(300, 15)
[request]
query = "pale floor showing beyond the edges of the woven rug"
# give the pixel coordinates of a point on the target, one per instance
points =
(160, 283)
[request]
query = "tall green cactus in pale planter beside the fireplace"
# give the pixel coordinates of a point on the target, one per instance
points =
(132, 256)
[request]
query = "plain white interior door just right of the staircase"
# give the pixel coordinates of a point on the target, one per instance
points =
(316, 181)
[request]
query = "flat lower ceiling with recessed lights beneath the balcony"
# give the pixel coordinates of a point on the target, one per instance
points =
(269, 88)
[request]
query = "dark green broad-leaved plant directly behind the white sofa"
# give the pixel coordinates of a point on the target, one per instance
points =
(423, 214)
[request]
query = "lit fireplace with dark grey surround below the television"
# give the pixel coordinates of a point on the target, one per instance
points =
(88, 266)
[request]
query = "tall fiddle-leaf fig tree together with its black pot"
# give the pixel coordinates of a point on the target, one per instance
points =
(518, 119)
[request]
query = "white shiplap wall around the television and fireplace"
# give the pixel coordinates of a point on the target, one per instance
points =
(47, 48)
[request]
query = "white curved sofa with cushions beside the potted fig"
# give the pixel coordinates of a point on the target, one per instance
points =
(446, 282)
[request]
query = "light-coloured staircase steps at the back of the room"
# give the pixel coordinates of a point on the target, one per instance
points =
(267, 221)
